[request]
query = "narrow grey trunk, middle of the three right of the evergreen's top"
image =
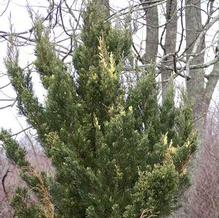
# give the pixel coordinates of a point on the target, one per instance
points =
(170, 42)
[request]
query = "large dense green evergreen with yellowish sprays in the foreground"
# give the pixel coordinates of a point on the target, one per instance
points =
(113, 156)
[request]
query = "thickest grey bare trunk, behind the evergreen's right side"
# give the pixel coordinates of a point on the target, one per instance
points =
(195, 85)
